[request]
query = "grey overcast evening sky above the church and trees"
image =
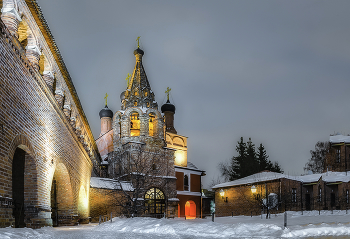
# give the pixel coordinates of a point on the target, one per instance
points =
(275, 71)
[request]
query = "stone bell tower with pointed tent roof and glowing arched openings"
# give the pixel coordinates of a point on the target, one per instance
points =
(140, 154)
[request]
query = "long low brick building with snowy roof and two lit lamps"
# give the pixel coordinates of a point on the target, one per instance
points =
(326, 191)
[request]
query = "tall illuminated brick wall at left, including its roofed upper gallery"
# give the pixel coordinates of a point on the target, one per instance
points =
(53, 133)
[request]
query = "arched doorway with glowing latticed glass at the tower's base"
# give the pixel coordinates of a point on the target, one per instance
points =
(155, 202)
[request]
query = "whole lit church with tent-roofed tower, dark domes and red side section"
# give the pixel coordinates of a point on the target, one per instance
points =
(140, 140)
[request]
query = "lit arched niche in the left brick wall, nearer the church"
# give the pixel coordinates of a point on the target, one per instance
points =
(62, 202)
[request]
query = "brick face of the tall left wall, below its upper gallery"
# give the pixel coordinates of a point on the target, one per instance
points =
(32, 119)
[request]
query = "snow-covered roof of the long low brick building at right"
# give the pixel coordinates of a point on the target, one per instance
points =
(328, 177)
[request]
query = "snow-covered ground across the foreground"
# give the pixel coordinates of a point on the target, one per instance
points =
(310, 224)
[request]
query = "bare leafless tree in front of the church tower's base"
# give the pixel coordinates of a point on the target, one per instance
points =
(134, 169)
